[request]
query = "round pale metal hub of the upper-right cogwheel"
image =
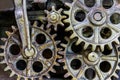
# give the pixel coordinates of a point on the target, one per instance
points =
(97, 17)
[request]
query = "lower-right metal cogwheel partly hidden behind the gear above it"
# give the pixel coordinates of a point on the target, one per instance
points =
(88, 65)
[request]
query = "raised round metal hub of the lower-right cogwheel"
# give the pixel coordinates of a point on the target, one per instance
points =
(92, 58)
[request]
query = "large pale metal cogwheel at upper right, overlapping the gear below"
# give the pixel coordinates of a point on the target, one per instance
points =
(94, 22)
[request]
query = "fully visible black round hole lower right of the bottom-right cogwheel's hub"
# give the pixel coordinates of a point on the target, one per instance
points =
(105, 66)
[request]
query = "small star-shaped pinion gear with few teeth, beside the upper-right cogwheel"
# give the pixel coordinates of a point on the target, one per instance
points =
(54, 17)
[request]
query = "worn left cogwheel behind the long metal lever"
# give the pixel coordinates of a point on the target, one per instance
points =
(39, 64)
